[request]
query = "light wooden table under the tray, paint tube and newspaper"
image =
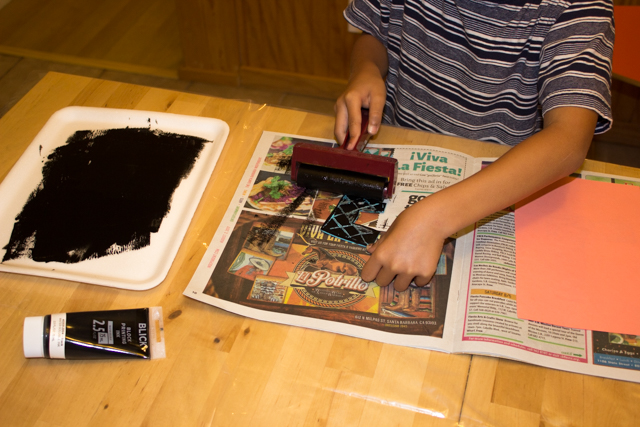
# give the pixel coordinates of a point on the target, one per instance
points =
(226, 370)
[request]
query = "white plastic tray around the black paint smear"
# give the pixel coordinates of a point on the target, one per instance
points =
(138, 269)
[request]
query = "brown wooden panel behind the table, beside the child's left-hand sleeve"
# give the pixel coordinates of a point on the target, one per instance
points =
(301, 46)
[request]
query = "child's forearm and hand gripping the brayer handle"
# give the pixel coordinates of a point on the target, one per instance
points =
(369, 65)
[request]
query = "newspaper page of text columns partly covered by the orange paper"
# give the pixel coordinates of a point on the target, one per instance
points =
(489, 323)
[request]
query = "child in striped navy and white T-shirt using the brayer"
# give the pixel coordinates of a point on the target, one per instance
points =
(488, 70)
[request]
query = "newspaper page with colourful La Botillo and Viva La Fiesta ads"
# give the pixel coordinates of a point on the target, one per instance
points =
(270, 260)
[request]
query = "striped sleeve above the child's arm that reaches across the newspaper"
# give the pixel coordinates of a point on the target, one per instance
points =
(575, 61)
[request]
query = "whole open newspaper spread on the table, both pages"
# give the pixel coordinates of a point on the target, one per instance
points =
(269, 260)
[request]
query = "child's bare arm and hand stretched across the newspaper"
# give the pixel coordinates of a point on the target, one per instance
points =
(412, 246)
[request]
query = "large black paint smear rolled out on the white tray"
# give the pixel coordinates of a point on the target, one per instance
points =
(102, 193)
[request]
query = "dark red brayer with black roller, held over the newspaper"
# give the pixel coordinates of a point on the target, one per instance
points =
(342, 171)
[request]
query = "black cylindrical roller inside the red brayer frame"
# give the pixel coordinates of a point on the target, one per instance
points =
(341, 182)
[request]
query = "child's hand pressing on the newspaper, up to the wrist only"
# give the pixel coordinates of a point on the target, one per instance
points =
(408, 252)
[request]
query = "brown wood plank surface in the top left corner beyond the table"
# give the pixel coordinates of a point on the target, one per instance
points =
(127, 35)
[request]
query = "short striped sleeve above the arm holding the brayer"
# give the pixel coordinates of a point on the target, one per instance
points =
(370, 16)
